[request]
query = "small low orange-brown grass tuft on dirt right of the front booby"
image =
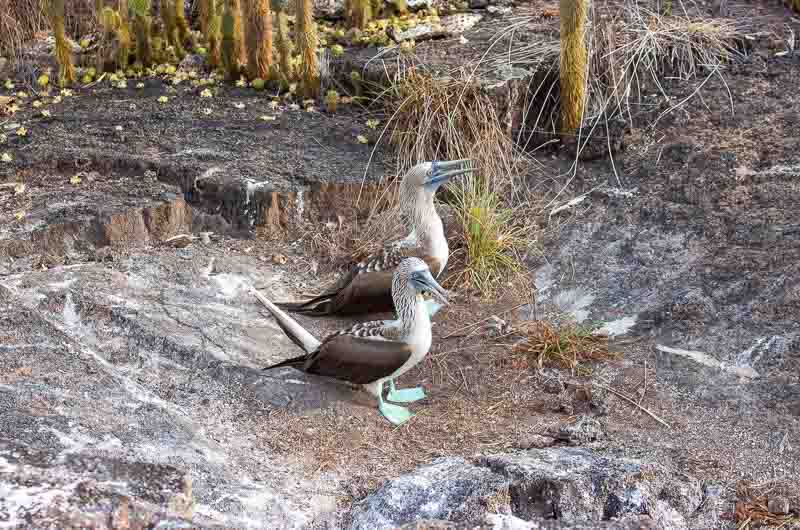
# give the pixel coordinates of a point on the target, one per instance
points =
(569, 346)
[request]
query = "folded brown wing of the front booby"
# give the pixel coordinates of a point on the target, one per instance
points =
(356, 359)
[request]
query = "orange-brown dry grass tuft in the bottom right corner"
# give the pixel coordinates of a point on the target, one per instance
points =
(752, 508)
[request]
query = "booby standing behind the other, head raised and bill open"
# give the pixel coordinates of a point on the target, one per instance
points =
(368, 285)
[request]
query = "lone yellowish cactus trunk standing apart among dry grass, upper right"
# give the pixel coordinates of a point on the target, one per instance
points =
(574, 56)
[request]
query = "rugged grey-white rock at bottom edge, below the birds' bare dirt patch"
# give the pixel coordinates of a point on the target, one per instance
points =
(565, 487)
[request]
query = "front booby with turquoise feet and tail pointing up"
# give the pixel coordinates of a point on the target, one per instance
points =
(372, 353)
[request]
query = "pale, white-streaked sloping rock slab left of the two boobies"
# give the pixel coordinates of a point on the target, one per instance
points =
(121, 373)
